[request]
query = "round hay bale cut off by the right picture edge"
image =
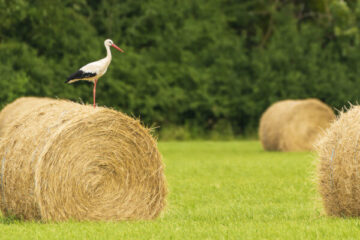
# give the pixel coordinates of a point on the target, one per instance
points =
(339, 165)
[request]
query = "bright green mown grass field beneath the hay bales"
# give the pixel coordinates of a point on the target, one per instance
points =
(218, 190)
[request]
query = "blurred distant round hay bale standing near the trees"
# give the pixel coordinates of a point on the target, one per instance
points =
(294, 125)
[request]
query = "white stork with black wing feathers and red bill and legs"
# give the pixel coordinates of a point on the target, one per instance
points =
(93, 71)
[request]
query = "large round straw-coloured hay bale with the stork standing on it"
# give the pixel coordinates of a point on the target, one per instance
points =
(65, 160)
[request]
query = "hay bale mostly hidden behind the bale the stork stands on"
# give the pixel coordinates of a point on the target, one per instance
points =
(21, 106)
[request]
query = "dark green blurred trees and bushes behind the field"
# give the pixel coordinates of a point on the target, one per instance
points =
(196, 66)
